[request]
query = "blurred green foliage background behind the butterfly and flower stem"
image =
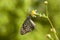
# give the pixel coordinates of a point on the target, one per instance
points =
(14, 12)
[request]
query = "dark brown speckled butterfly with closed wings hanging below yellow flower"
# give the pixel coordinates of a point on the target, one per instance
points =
(27, 26)
